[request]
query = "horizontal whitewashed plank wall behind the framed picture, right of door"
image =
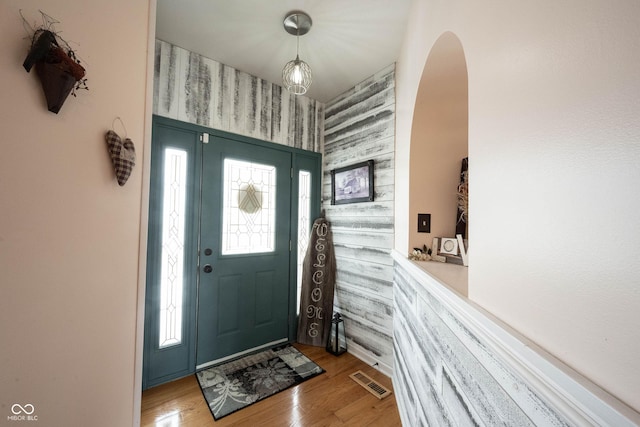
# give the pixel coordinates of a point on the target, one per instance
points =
(359, 126)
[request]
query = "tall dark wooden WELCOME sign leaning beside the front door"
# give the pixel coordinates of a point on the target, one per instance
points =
(318, 282)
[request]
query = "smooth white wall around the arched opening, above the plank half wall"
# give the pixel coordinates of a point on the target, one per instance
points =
(554, 144)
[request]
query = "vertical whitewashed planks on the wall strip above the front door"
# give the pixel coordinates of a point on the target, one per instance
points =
(195, 89)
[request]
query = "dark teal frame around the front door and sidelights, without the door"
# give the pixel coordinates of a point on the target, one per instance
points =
(300, 160)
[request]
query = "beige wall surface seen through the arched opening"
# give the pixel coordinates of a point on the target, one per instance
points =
(439, 141)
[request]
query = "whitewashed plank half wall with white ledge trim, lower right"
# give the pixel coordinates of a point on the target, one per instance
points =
(456, 365)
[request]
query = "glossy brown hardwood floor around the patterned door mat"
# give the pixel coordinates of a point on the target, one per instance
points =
(330, 399)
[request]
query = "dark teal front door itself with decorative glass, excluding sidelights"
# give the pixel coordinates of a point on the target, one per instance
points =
(243, 300)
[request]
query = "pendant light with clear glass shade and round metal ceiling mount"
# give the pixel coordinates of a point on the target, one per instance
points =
(296, 75)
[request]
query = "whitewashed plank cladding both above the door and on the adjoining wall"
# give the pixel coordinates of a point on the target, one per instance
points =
(356, 126)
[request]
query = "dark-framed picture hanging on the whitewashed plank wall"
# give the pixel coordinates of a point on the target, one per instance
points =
(352, 184)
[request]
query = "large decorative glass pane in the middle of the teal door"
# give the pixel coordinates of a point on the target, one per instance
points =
(248, 220)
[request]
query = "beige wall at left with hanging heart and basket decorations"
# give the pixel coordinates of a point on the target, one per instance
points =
(69, 234)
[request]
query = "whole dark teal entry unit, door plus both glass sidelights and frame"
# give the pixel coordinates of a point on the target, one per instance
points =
(224, 231)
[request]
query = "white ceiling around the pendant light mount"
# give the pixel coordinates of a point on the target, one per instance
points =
(349, 41)
